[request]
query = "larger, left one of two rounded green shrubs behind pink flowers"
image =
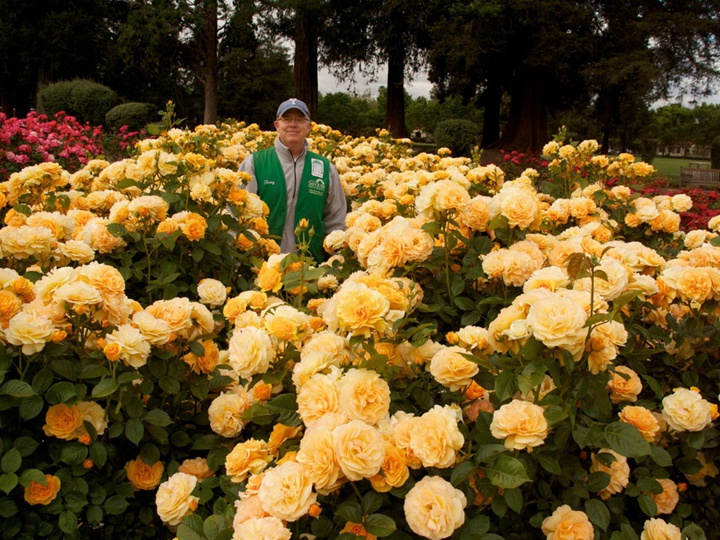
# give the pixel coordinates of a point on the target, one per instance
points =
(84, 99)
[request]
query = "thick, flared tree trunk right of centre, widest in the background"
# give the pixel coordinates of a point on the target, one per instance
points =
(526, 130)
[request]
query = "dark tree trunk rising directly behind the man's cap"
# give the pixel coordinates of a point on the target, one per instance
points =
(306, 58)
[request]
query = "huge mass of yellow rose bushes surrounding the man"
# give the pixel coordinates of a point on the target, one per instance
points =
(481, 356)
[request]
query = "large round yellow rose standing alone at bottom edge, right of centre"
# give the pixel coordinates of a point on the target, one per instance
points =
(434, 508)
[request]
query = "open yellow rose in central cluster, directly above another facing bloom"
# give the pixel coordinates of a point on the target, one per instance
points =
(363, 395)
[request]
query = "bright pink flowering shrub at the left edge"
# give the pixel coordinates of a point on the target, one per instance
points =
(37, 139)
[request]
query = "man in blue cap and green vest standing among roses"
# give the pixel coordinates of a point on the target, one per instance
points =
(296, 183)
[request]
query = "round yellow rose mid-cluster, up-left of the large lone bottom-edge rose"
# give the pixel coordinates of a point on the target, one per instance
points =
(359, 449)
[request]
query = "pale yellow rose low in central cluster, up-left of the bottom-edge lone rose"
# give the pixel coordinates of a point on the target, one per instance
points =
(286, 492)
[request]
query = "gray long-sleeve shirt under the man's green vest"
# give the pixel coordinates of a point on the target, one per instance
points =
(335, 208)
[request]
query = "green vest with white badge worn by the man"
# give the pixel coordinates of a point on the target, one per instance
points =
(311, 196)
